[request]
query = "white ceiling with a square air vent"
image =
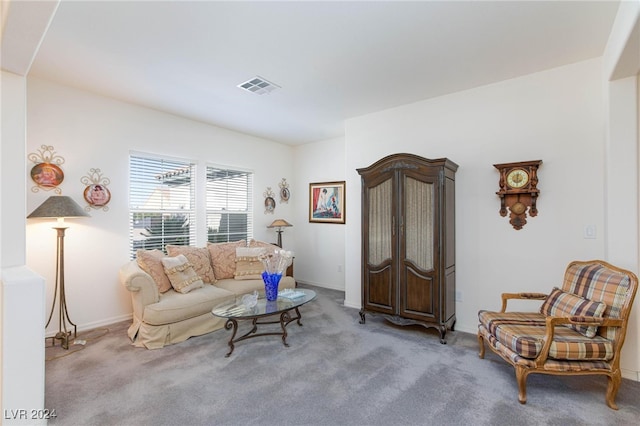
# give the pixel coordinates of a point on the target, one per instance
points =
(332, 60)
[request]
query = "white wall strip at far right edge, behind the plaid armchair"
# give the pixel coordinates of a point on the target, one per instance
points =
(621, 65)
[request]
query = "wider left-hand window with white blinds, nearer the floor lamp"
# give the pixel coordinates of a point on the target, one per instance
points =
(161, 203)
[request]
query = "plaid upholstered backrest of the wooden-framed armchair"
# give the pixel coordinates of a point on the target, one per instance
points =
(600, 281)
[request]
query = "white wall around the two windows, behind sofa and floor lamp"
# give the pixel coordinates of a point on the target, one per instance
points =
(90, 131)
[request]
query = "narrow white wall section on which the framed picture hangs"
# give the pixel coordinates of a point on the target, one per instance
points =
(322, 243)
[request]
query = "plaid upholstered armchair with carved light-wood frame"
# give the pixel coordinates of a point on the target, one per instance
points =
(579, 329)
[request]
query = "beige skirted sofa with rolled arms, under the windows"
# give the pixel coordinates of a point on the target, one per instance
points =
(164, 318)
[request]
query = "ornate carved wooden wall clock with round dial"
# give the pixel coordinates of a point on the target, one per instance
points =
(518, 191)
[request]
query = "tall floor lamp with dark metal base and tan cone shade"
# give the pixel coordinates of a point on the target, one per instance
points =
(60, 207)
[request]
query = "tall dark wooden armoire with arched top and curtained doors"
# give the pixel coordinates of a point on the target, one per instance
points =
(408, 241)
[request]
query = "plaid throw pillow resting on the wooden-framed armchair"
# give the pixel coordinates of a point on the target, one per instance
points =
(562, 304)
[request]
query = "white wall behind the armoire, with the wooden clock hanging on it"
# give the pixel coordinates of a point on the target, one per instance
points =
(555, 116)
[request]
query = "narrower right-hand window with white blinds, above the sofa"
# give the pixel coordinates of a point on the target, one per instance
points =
(229, 205)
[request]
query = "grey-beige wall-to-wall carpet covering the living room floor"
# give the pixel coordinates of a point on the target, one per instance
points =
(335, 372)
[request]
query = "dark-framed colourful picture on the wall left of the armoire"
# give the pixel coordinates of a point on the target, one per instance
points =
(327, 202)
